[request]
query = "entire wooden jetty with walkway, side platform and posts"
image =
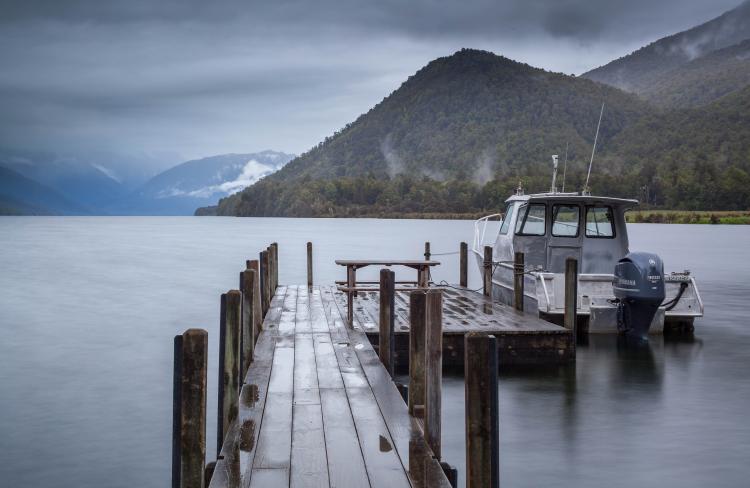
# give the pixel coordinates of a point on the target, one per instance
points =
(306, 395)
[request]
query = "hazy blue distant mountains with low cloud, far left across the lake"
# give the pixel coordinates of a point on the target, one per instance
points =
(48, 184)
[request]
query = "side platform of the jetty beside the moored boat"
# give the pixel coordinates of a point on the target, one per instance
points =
(522, 338)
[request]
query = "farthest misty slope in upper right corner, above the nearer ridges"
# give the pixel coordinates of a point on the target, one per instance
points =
(642, 70)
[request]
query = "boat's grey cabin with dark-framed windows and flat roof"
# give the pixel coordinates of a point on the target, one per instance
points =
(550, 227)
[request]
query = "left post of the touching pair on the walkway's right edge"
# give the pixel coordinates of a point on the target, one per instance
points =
(417, 302)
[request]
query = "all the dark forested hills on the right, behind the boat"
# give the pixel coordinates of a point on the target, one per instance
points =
(459, 134)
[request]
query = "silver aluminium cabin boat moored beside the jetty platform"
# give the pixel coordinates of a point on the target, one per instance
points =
(551, 227)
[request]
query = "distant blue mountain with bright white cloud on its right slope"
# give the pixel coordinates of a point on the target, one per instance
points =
(182, 189)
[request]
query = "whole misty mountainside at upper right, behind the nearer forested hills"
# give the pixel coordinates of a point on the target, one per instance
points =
(680, 70)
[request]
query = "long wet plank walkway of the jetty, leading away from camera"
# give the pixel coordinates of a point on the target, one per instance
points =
(319, 410)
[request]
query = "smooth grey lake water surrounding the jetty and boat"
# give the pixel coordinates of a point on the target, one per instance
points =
(89, 307)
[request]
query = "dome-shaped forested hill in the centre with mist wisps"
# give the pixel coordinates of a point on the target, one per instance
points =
(471, 117)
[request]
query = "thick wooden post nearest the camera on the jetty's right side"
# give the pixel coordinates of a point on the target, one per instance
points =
(481, 399)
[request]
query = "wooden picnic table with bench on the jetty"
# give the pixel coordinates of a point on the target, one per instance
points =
(352, 265)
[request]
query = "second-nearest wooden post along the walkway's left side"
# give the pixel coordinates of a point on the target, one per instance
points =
(230, 358)
